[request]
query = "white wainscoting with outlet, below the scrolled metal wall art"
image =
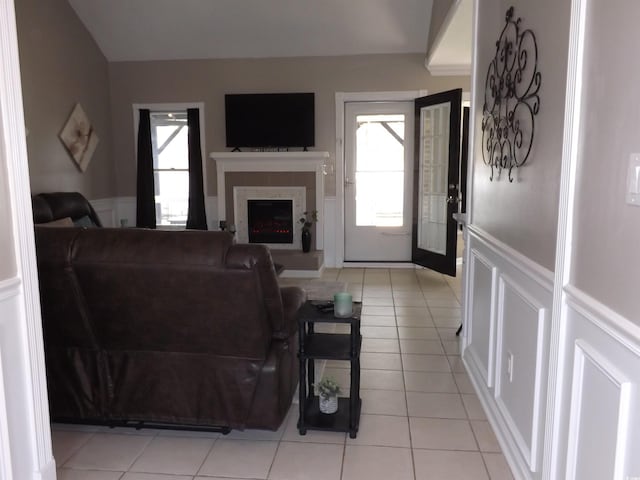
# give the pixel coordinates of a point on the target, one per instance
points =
(510, 300)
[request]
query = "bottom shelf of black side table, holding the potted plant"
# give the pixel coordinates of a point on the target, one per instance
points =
(339, 421)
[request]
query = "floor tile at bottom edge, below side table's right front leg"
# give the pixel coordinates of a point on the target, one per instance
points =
(377, 463)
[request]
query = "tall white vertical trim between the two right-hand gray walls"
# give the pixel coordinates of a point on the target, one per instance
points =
(566, 209)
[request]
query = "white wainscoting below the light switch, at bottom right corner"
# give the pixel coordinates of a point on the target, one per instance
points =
(600, 405)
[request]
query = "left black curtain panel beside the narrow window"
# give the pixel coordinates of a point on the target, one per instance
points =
(145, 196)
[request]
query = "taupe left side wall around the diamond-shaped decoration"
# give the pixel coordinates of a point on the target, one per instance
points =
(61, 65)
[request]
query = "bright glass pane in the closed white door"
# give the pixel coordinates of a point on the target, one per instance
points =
(379, 174)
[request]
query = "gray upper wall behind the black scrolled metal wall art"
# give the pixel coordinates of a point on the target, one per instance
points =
(524, 214)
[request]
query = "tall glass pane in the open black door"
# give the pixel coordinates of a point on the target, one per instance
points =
(434, 173)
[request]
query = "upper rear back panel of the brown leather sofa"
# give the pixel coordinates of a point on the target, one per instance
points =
(168, 291)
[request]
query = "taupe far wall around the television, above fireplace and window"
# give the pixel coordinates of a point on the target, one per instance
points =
(209, 80)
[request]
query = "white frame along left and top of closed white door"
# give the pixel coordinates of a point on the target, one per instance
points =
(341, 99)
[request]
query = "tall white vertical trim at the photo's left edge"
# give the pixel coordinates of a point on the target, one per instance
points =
(13, 143)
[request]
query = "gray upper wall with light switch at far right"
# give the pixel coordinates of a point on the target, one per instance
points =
(607, 230)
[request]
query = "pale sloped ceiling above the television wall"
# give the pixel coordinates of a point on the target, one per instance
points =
(189, 29)
